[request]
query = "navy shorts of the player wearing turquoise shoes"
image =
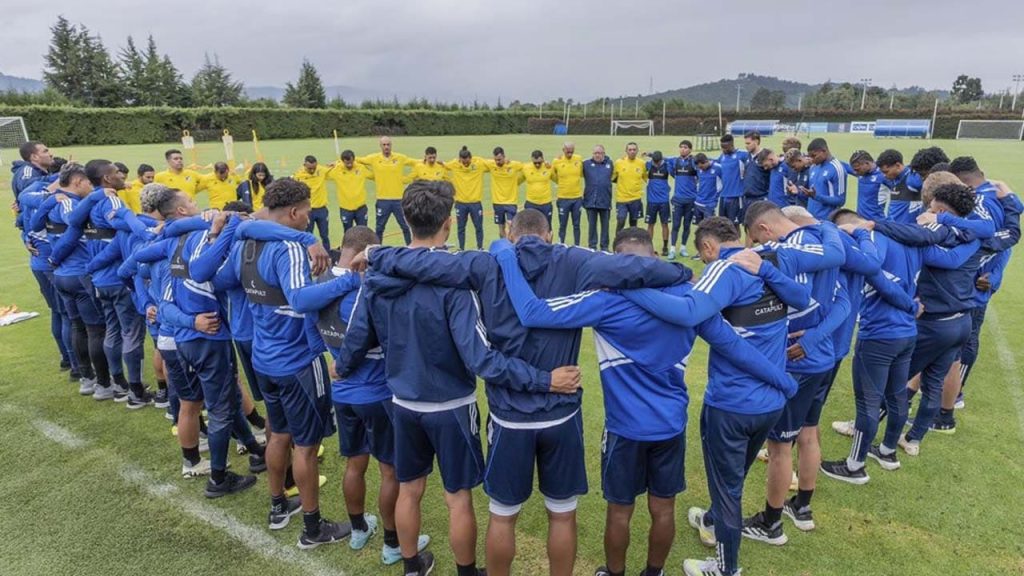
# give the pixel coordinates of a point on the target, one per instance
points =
(366, 429)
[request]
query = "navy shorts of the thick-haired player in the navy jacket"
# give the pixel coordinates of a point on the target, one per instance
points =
(453, 435)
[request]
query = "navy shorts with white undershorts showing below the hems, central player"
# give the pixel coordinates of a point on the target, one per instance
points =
(558, 451)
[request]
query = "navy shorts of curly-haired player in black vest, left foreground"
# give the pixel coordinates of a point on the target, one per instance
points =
(300, 404)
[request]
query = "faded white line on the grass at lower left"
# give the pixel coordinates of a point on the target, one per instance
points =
(257, 540)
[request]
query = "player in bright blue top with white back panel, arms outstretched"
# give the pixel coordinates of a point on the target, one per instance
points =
(646, 400)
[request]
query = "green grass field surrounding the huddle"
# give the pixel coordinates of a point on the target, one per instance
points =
(92, 488)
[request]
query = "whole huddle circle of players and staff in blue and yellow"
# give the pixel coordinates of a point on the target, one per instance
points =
(411, 328)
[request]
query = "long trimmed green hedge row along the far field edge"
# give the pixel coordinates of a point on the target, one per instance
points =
(71, 127)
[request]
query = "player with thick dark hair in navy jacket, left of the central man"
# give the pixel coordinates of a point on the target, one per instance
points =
(435, 394)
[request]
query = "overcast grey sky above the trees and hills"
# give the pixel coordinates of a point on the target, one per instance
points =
(533, 50)
